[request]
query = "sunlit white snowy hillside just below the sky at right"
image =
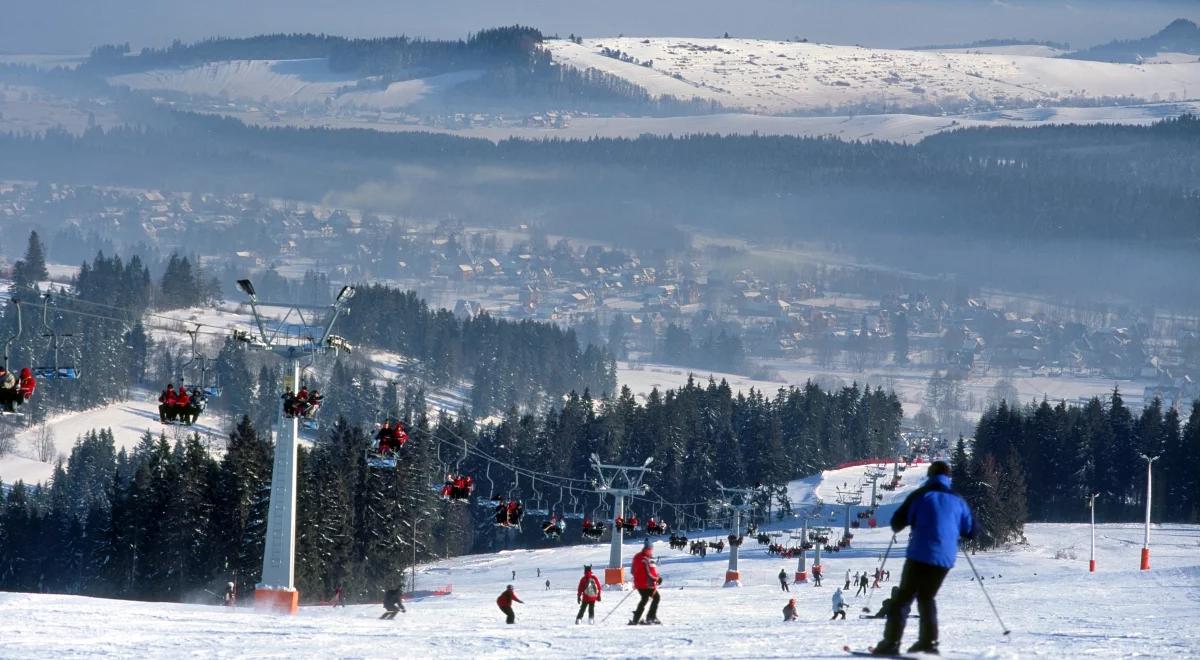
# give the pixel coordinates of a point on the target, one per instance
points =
(775, 77)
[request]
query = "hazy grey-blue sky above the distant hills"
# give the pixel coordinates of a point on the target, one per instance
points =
(76, 26)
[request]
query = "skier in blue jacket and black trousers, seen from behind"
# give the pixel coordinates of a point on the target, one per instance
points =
(939, 518)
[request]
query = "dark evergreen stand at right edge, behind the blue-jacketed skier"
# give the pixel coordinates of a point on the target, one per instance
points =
(1042, 464)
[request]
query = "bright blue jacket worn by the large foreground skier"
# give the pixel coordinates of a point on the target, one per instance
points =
(939, 518)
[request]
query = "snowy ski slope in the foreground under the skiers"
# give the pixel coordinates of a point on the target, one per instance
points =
(1043, 591)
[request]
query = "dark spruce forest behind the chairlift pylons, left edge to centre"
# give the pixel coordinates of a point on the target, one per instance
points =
(176, 523)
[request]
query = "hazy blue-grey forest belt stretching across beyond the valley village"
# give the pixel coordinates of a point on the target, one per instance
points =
(1011, 184)
